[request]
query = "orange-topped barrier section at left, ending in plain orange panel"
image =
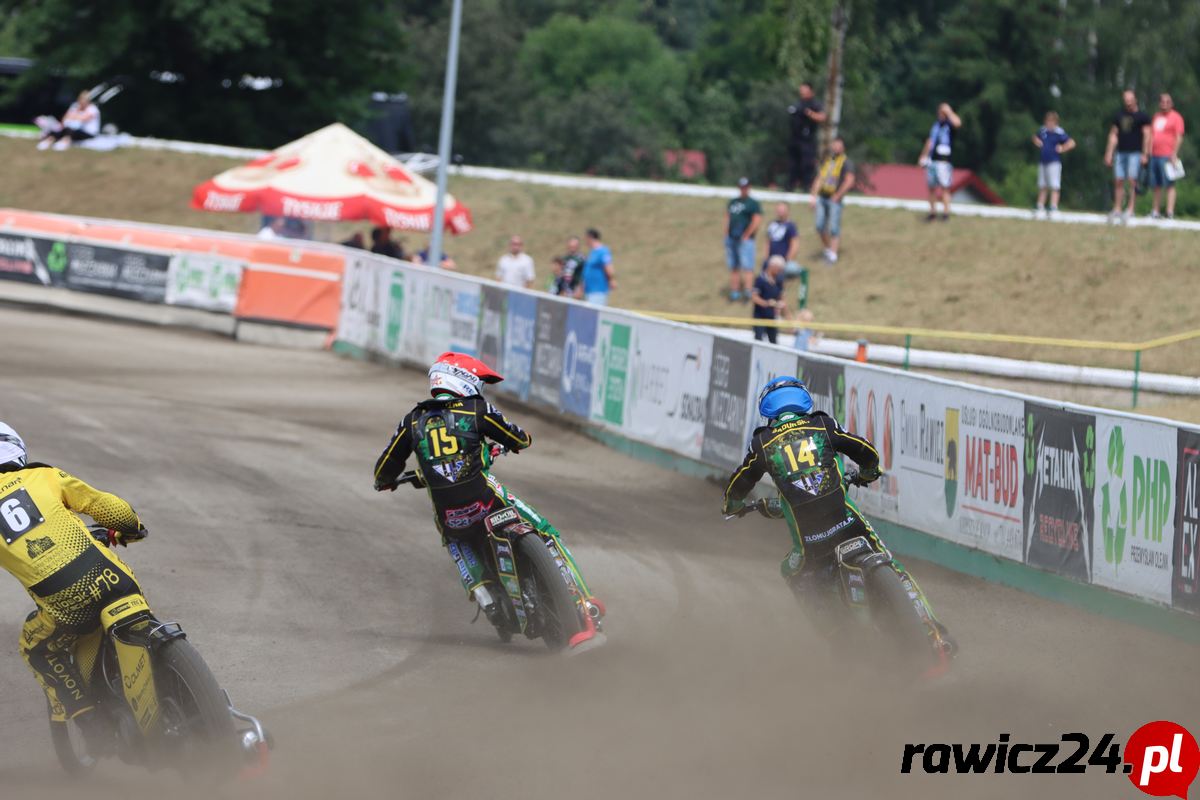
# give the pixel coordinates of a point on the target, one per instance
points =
(296, 284)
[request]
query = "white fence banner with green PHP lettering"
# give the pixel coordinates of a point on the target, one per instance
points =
(1135, 507)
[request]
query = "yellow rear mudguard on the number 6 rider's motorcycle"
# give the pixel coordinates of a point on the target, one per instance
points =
(137, 636)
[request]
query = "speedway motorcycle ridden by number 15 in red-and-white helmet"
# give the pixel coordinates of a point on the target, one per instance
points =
(542, 597)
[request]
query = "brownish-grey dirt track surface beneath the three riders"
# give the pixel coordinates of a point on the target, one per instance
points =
(335, 613)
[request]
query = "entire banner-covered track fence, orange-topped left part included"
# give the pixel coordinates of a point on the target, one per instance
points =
(1016, 489)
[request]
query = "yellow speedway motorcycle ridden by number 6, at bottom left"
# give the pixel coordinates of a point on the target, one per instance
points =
(158, 699)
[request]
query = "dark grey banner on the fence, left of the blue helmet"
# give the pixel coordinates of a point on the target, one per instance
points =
(729, 382)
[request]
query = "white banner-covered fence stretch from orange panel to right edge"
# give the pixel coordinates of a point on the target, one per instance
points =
(1095, 497)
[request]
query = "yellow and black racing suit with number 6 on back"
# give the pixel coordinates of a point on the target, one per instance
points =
(69, 575)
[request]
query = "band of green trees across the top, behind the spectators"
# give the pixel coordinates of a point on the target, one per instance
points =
(608, 86)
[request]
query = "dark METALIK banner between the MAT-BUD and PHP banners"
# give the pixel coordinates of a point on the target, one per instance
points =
(1059, 490)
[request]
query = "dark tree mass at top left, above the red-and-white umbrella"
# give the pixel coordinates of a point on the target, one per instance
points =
(247, 73)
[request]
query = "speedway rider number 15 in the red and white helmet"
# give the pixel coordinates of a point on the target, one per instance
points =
(449, 436)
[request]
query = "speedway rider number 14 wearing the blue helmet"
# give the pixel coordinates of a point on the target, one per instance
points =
(799, 448)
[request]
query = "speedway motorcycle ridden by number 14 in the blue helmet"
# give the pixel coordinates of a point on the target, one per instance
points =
(871, 600)
